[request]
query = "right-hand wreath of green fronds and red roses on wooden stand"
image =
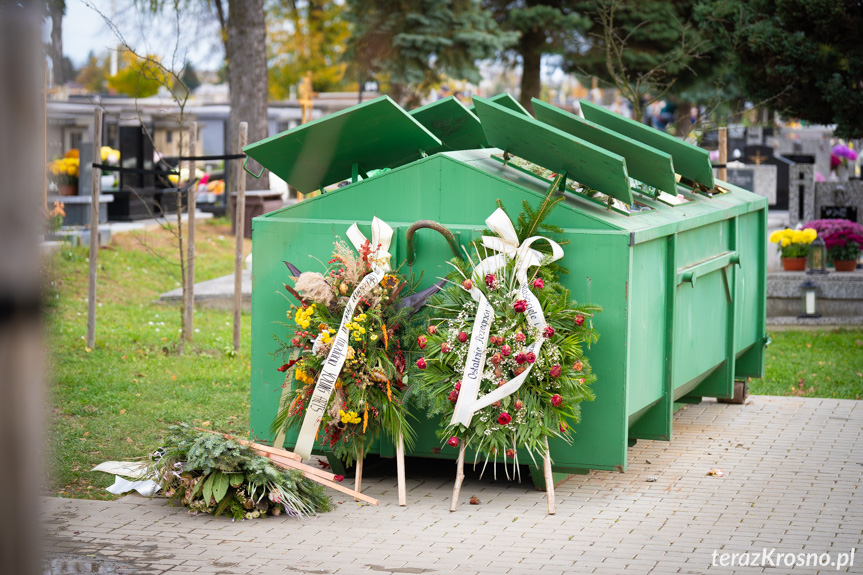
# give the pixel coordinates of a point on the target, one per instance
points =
(547, 401)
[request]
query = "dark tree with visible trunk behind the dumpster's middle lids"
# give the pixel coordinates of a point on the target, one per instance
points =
(542, 28)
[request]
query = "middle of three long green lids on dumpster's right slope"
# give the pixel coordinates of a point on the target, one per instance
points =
(649, 165)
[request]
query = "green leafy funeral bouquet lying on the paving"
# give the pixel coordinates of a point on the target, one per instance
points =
(211, 474)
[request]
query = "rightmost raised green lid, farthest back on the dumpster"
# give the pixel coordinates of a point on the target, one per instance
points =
(690, 161)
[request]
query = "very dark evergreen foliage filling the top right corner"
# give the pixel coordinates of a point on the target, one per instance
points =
(803, 58)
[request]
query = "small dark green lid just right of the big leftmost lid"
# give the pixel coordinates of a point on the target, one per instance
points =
(452, 123)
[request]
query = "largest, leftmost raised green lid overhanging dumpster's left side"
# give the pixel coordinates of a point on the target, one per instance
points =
(374, 134)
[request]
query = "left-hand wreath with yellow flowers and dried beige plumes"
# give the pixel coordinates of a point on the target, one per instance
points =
(367, 398)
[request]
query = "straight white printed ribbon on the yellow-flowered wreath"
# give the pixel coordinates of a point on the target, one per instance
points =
(381, 238)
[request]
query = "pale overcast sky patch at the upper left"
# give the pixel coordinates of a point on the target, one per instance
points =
(84, 30)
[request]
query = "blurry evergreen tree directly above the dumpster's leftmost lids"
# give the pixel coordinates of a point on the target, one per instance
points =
(413, 46)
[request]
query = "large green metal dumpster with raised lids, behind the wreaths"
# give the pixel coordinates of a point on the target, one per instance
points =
(676, 259)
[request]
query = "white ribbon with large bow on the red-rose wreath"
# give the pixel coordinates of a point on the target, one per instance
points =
(526, 257)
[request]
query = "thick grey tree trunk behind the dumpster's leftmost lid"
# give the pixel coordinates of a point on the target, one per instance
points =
(246, 53)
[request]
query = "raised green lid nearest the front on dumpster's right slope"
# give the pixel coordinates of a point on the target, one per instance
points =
(554, 149)
